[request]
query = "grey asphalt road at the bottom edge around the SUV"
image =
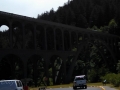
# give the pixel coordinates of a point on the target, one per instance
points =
(89, 88)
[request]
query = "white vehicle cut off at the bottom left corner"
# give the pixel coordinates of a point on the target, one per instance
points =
(11, 85)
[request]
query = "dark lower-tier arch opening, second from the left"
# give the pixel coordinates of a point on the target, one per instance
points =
(36, 70)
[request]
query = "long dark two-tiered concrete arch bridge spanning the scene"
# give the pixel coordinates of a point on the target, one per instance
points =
(33, 48)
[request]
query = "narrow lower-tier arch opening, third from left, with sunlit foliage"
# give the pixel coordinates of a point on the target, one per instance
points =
(55, 69)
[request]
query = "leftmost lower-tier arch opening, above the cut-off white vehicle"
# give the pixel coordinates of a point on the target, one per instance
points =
(13, 64)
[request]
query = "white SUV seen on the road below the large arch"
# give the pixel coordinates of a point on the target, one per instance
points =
(80, 81)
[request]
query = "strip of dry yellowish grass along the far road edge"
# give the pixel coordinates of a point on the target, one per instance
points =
(67, 85)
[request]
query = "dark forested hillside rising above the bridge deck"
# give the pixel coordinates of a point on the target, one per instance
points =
(98, 14)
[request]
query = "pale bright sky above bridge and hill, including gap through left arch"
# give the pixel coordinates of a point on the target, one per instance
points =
(30, 8)
